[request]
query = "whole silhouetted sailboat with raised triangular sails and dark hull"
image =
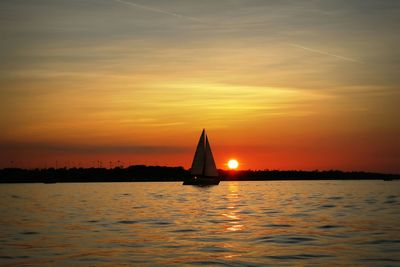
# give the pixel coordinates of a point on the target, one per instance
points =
(203, 170)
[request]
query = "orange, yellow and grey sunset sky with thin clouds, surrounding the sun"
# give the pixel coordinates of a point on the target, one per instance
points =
(287, 84)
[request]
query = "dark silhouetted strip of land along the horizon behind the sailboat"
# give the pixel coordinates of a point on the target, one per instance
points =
(142, 173)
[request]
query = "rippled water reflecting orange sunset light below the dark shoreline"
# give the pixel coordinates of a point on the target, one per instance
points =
(341, 223)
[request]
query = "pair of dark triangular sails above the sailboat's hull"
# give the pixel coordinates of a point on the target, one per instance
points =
(203, 162)
